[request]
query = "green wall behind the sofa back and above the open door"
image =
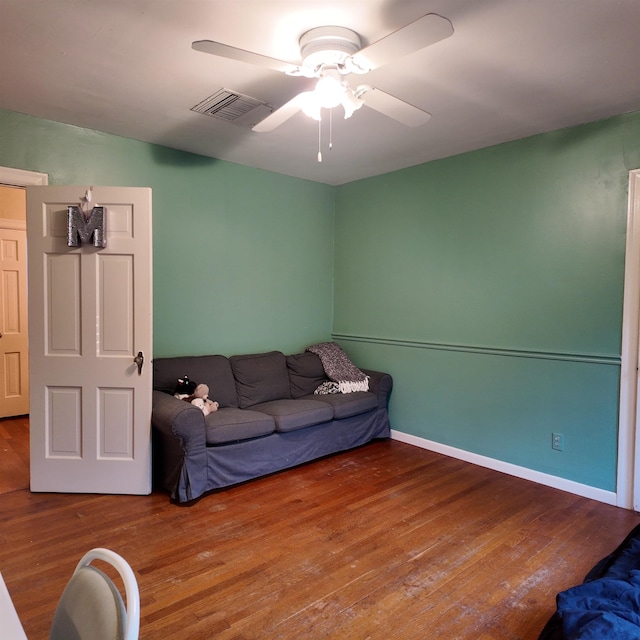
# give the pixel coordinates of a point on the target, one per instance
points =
(242, 257)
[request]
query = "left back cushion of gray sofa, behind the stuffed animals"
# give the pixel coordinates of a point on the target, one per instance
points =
(214, 371)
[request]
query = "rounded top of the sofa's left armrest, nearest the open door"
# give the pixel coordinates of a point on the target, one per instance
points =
(177, 418)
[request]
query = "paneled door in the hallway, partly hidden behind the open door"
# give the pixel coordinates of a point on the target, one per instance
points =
(14, 346)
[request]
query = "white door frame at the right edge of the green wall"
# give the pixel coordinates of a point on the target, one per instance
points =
(628, 475)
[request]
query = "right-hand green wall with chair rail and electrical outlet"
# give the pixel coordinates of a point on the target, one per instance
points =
(490, 285)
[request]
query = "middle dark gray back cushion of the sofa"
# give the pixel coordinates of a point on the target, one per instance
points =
(260, 377)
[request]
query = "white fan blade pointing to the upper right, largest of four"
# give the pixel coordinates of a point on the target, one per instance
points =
(417, 35)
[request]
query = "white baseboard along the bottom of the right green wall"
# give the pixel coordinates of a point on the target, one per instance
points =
(608, 497)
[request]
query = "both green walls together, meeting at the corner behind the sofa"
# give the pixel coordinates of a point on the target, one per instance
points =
(489, 284)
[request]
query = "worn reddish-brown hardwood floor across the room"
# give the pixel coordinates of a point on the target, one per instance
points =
(387, 542)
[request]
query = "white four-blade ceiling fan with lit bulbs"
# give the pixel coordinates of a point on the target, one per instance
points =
(331, 54)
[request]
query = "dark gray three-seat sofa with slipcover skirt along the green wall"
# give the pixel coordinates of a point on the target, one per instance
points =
(269, 419)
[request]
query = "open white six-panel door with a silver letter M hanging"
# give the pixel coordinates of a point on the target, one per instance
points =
(89, 316)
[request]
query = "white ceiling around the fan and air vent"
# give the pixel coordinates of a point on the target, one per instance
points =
(512, 68)
